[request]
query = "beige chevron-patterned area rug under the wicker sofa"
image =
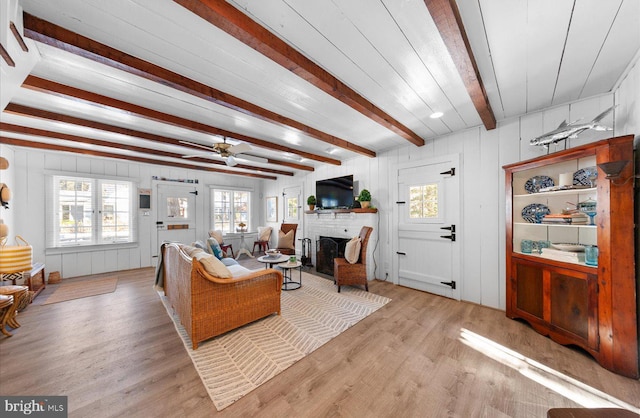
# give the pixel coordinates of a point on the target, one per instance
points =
(233, 364)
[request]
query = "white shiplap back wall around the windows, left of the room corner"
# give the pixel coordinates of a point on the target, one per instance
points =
(28, 209)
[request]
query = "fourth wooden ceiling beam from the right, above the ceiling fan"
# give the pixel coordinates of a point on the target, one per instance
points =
(115, 105)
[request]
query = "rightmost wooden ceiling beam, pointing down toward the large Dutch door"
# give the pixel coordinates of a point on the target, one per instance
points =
(447, 18)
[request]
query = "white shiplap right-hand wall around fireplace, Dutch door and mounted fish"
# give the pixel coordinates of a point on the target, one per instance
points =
(483, 153)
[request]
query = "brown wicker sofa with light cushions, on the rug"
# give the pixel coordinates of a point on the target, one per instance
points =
(207, 305)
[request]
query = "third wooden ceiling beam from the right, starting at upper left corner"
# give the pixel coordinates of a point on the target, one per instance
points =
(56, 36)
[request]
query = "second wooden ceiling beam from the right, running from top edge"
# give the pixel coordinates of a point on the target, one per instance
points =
(231, 20)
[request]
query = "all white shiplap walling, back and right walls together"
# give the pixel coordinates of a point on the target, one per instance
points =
(483, 153)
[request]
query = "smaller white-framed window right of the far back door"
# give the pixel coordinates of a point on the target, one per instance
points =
(229, 209)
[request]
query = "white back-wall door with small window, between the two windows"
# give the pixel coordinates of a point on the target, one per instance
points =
(176, 213)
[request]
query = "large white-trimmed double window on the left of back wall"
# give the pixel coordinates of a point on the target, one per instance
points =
(90, 211)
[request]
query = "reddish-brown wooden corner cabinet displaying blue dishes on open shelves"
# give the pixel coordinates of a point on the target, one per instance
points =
(593, 307)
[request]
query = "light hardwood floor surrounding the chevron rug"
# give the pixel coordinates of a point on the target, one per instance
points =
(118, 355)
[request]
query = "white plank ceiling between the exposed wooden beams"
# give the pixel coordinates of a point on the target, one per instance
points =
(531, 54)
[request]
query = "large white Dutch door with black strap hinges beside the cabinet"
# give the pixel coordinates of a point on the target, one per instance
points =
(427, 212)
